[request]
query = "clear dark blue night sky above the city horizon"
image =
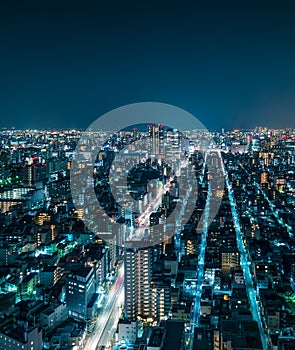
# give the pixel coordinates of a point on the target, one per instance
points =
(65, 62)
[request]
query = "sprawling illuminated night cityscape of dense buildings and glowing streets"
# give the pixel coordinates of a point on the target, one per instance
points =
(226, 282)
